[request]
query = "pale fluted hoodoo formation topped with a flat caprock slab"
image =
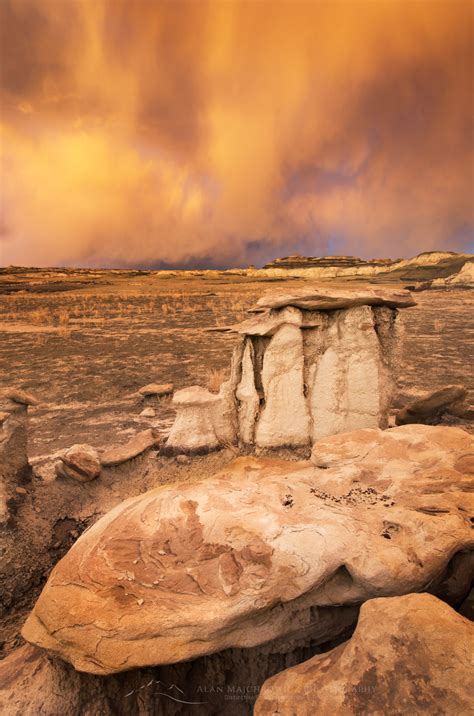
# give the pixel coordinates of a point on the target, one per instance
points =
(310, 363)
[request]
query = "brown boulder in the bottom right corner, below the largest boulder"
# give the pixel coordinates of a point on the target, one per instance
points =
(408, 655)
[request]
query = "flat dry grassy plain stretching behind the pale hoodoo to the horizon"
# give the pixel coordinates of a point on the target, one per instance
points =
(85, 341)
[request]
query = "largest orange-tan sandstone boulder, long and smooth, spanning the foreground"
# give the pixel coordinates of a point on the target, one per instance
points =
(265, 549)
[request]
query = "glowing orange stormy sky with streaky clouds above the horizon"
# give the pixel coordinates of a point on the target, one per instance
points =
(218, 133)
